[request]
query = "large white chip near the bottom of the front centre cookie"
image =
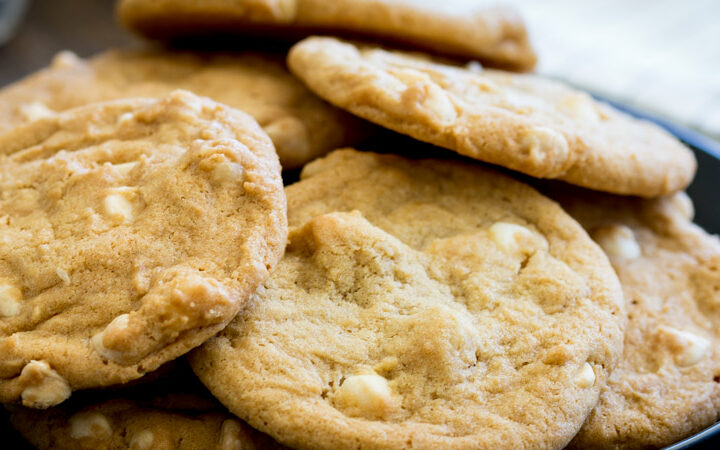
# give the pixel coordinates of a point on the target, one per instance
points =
(369, 393)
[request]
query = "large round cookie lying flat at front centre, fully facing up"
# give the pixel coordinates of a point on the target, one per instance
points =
(423, 304)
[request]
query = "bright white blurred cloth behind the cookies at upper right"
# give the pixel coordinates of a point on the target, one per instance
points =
(662, 56)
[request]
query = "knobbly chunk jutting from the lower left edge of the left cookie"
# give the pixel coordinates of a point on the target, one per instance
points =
(42, 386)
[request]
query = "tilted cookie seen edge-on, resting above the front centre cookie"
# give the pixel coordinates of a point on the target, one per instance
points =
(522, 122)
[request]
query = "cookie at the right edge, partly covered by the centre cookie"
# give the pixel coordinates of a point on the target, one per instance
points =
(667, 385)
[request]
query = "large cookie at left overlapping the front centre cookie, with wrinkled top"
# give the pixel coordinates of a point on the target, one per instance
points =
(130, 232)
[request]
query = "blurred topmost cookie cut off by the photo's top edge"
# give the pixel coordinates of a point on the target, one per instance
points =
(493, 34)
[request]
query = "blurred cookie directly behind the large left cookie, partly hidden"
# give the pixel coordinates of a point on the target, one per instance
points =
(301, 126)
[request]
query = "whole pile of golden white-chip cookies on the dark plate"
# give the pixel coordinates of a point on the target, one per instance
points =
(403, 293)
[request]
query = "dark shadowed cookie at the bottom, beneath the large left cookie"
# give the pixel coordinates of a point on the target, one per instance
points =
(176, 418)
